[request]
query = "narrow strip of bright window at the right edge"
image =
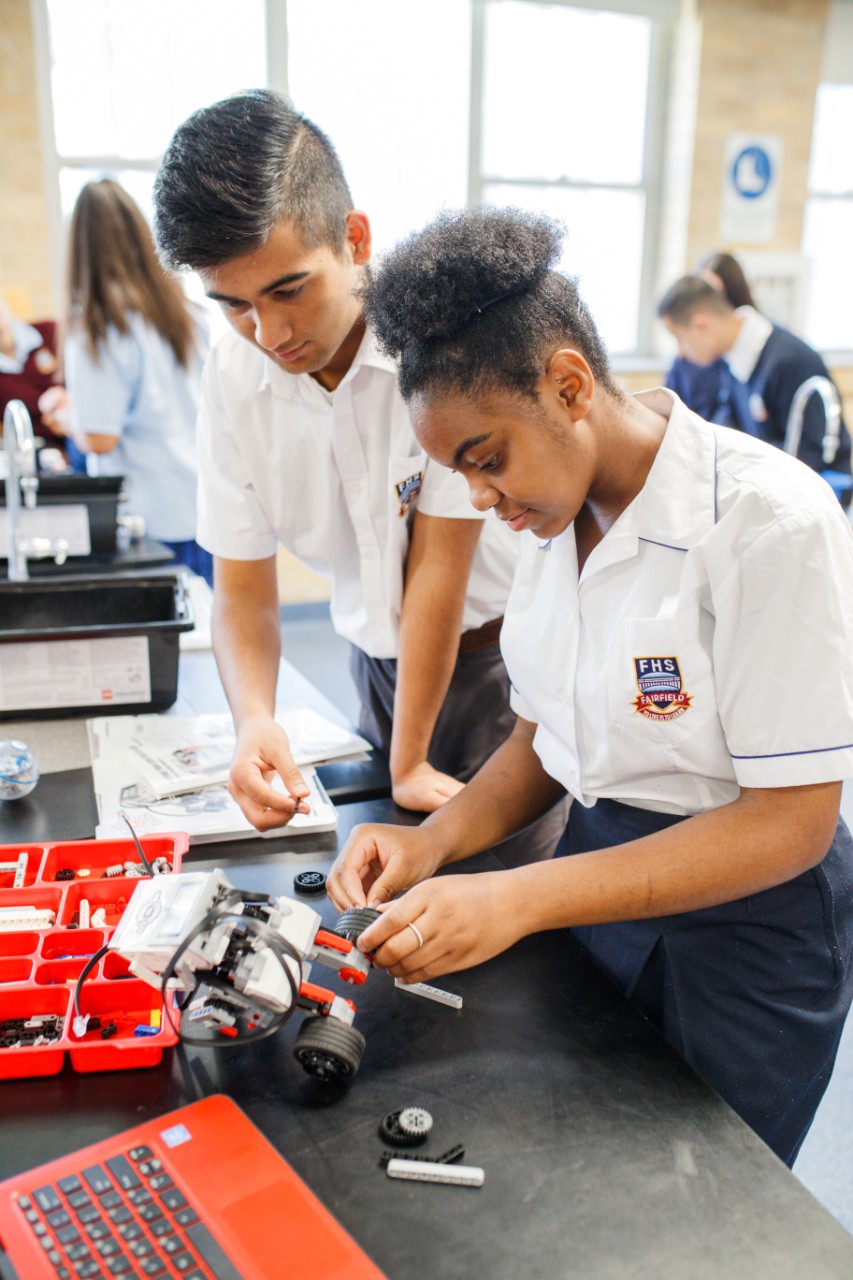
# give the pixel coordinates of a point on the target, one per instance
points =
(828, 227)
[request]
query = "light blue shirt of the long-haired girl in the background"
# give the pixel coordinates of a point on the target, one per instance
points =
(138, 392)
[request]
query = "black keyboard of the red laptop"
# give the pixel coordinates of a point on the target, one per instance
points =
(124, 1219)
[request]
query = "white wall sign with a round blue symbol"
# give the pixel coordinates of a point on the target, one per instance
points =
(752, 166)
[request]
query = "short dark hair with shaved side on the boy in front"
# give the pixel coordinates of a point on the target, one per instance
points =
(236, 170)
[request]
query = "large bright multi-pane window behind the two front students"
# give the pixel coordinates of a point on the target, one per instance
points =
(431, 104)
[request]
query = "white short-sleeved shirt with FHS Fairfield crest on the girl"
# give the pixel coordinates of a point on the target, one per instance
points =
(709, 644)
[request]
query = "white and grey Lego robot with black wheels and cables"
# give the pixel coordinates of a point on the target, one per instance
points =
(243, 963)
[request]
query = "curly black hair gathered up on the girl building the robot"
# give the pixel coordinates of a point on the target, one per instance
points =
(471, 305)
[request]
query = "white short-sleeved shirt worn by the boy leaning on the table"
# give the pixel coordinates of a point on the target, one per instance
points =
(335, 478)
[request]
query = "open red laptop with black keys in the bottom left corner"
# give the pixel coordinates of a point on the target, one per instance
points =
(198, 1195)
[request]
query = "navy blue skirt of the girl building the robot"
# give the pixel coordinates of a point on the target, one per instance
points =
(754, 994)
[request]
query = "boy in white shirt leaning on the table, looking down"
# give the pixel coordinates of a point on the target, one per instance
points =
(305, 441)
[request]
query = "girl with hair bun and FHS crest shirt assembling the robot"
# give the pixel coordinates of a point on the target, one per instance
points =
(679, 587)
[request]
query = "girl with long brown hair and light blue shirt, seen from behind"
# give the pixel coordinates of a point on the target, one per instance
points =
(134, 355)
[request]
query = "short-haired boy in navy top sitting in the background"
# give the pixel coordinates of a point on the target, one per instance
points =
(767, 367)
